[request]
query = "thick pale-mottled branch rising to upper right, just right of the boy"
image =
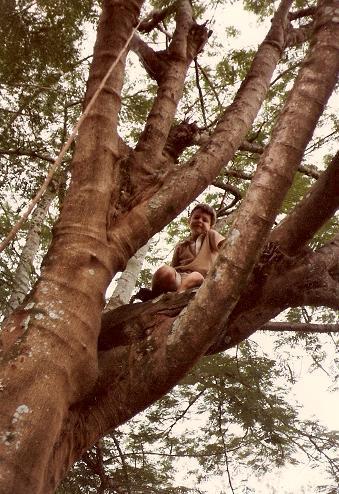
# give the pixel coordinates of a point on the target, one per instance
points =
(280, 159)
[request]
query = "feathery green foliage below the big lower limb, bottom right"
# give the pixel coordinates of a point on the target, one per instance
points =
(228, 411)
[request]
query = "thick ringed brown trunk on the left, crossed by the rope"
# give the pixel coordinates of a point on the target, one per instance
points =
(55, 362)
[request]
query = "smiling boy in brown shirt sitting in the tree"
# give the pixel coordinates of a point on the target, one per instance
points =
(193, 257)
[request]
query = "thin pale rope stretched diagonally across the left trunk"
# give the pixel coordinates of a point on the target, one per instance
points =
(64, 149)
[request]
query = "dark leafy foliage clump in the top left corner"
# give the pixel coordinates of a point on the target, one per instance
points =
(41, 39)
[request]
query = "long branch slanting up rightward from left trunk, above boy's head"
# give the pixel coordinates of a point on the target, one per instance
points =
(205, 165)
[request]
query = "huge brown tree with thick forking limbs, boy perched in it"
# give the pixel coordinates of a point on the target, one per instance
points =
(70, 373)
